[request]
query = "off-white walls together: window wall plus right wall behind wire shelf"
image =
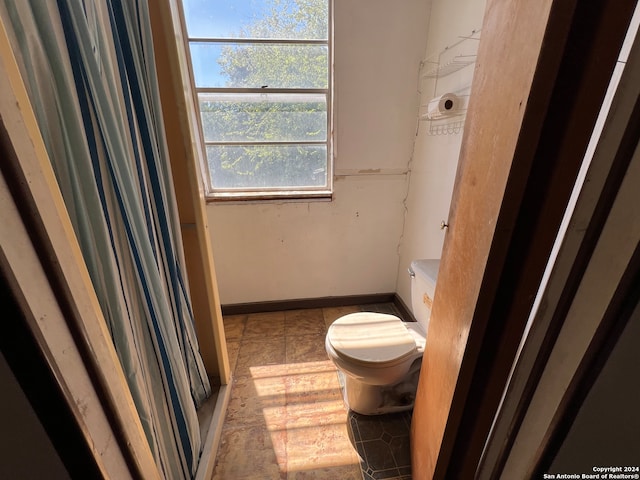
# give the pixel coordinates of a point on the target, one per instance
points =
(393, 180)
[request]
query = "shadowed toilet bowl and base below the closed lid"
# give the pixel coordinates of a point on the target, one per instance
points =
(380, 399)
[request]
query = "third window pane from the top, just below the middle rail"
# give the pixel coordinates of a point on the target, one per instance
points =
(268, 117)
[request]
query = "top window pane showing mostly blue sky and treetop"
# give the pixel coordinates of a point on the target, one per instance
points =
(298, 19)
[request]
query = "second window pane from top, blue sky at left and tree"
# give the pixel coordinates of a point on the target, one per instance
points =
(259, 65)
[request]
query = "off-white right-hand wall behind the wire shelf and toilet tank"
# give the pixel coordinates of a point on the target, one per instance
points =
(435, 157)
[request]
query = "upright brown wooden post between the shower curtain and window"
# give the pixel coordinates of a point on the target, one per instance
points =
(184, 148)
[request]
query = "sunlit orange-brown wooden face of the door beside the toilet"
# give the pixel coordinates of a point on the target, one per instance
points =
(480, 185)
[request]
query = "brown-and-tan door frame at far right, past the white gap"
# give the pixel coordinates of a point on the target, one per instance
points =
(559, 349)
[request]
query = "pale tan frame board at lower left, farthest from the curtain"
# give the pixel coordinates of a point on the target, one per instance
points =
(20, 264)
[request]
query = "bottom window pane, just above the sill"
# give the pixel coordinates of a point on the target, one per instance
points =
(267, 166)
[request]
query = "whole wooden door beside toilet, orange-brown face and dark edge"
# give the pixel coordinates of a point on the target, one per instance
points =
(542, 72)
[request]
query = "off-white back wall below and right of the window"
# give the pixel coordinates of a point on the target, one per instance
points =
(280, 251)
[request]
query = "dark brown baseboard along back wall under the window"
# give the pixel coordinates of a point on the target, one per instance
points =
(323, 302)
